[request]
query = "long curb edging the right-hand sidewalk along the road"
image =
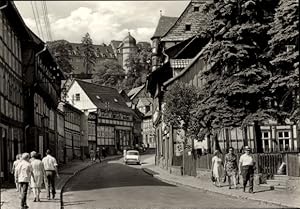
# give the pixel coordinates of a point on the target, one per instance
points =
(157, 176)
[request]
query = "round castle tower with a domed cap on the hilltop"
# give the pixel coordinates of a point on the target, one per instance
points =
(128, 48)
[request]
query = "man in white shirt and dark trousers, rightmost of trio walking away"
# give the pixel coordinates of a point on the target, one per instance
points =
(50, 166)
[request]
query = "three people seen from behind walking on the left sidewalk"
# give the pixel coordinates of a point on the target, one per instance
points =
(31, 171)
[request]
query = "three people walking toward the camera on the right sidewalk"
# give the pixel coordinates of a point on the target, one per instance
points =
(232, 168)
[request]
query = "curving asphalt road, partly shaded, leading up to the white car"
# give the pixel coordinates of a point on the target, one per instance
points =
(115, 185)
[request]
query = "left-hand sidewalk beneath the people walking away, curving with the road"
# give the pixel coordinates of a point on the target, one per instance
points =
(10, 198)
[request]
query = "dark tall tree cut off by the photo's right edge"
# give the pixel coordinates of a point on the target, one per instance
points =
(285, 62)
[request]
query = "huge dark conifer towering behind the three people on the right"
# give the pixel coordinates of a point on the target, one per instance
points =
(236, 90)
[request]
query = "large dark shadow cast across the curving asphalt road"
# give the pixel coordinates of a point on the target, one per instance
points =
(113, 175)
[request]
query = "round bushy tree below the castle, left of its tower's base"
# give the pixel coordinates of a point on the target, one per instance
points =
(110, 73)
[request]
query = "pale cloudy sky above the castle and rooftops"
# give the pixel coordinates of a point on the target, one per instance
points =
(103, 20)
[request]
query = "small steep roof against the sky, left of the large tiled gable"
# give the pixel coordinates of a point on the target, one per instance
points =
(164, 24)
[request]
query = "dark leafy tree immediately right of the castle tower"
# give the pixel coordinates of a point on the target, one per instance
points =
(139, 66)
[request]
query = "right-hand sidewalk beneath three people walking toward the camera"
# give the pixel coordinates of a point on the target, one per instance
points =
(203, 182)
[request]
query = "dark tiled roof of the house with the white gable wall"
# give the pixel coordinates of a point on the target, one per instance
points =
(101, 95)
